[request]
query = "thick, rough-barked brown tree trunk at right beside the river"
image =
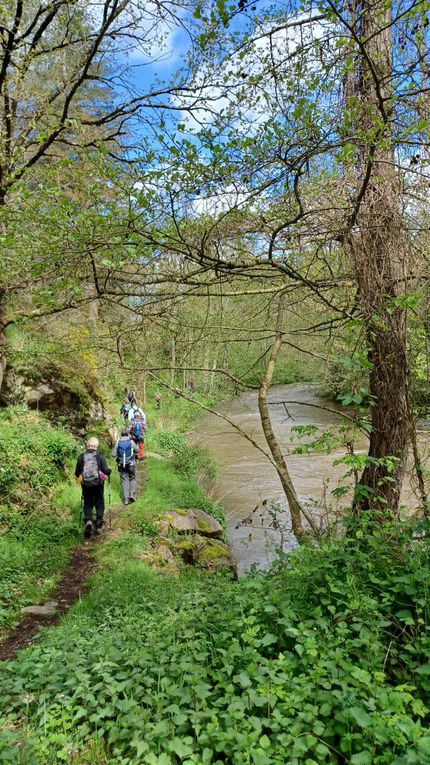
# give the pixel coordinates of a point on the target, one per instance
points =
(380, 250)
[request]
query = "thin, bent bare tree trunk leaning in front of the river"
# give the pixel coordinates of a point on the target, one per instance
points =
(281, 466)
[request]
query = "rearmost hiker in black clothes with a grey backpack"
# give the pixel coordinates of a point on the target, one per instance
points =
(91, 472)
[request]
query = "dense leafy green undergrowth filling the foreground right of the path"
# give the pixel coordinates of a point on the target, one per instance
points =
(324, 659)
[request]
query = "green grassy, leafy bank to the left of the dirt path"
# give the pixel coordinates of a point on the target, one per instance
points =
(39, 509)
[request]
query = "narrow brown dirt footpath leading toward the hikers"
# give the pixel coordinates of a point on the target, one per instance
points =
(68, 591)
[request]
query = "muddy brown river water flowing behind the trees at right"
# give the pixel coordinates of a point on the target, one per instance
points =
(246, 479)
